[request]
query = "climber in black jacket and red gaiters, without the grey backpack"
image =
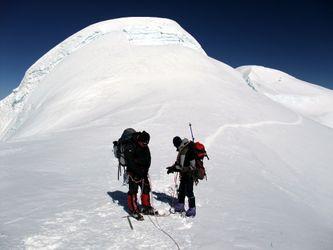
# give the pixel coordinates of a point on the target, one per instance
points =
(138, 160)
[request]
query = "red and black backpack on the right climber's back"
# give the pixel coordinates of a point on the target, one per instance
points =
(199, 154)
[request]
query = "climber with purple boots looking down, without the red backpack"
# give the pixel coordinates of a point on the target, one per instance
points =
(185, 164)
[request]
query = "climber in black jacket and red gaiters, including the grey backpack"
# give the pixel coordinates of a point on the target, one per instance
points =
(134, 153)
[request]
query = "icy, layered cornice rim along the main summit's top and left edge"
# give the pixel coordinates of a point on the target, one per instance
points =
(130, 32)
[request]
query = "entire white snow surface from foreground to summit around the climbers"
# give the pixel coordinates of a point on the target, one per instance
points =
(270, 168)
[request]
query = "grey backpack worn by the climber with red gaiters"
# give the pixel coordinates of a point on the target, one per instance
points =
(119, 147)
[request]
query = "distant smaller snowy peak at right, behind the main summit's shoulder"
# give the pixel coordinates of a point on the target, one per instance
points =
(310, 100)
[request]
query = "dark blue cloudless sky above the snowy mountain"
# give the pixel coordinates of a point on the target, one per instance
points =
(292, 36)
